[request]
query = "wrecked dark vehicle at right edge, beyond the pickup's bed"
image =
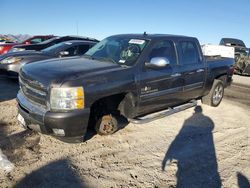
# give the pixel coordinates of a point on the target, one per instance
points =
(242, 60)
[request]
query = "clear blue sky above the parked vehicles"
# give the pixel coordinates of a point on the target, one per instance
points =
(208, 20)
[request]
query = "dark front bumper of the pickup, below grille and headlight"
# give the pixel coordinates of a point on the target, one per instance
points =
(73, 123)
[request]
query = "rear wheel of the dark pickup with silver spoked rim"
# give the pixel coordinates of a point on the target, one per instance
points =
(215, 95)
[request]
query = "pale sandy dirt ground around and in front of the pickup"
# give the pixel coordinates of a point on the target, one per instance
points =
(198, 147)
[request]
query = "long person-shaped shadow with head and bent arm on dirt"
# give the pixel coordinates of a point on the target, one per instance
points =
(193, 152)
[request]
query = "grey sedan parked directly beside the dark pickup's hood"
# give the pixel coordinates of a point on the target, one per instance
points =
(11, 63)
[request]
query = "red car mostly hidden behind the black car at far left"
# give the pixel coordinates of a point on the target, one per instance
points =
(4, 48)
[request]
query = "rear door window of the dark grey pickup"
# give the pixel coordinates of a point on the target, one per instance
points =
(189, 53)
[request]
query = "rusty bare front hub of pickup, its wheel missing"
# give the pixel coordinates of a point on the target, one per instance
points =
(106, 125)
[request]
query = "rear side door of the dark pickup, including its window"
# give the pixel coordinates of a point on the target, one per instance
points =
(192, 68)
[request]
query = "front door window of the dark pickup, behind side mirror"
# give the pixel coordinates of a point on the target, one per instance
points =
(164, 49)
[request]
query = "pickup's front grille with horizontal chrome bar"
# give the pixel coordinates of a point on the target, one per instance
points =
(33, 90)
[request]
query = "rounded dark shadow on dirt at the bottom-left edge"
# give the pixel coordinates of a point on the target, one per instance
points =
(56, 174)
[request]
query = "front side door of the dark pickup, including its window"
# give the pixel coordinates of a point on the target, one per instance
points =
(160, 88)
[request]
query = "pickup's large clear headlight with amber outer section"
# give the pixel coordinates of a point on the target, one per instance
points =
(67, 98)
